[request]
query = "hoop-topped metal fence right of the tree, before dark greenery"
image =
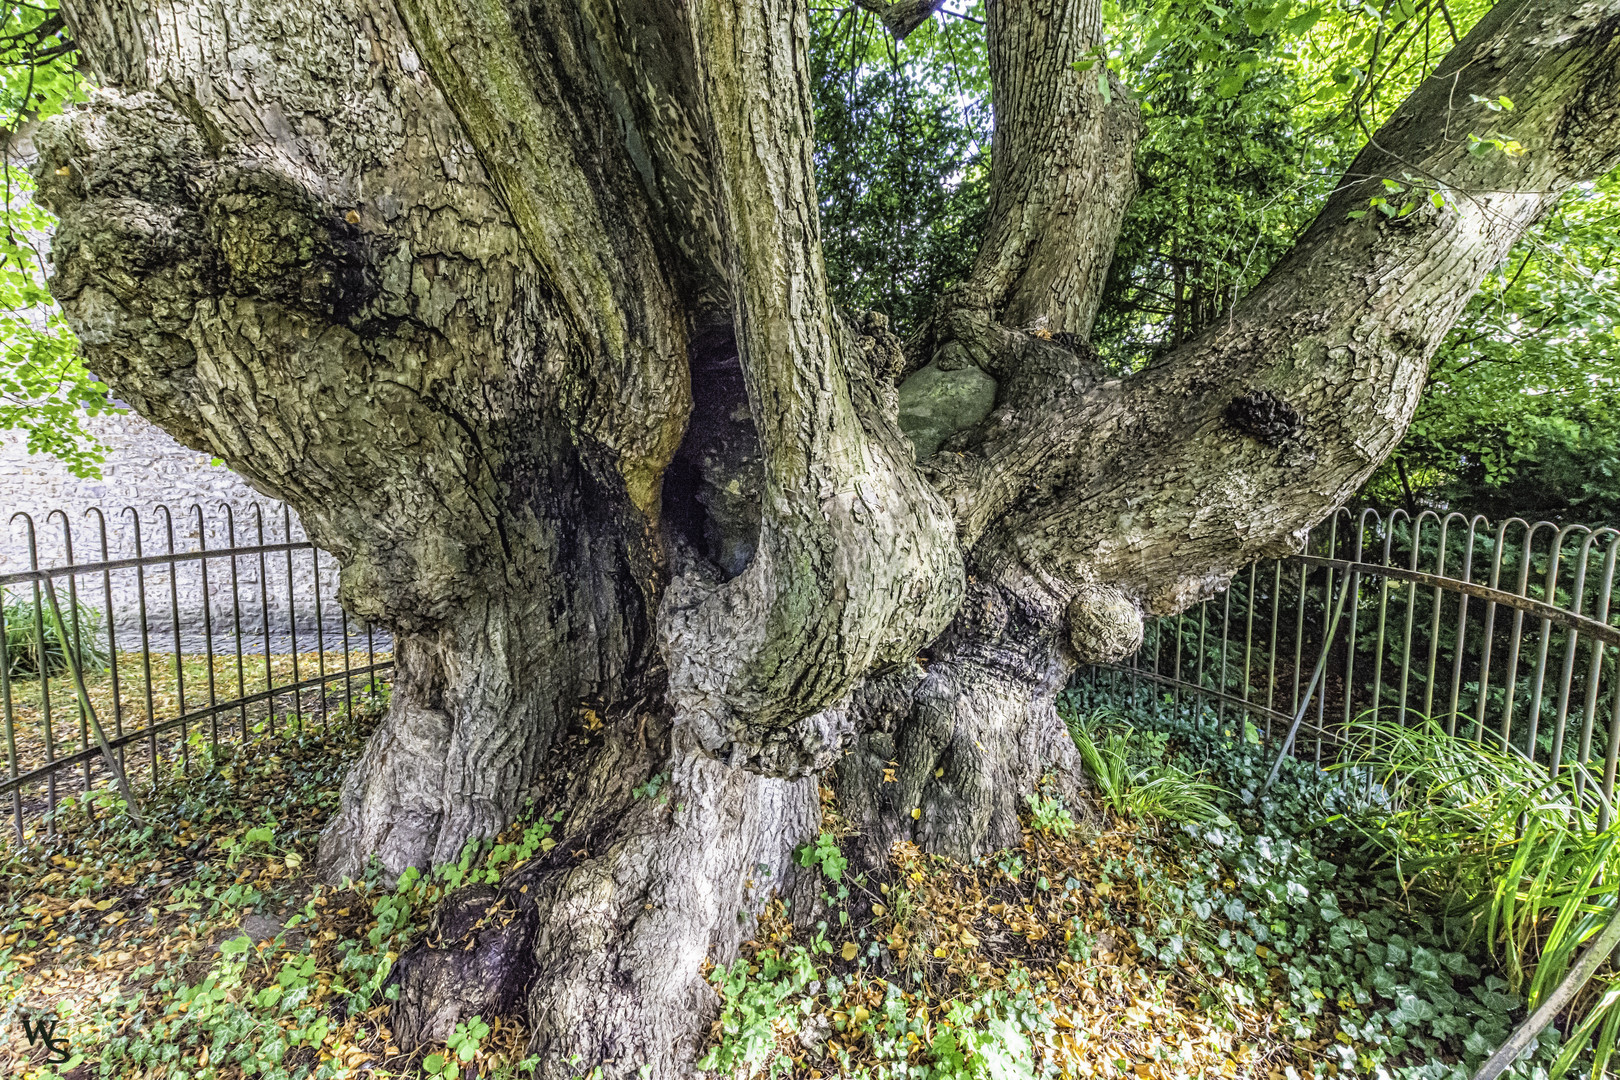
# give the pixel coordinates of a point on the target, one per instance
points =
(1503, 632)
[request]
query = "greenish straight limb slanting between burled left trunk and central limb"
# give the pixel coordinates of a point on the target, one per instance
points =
(584, 117)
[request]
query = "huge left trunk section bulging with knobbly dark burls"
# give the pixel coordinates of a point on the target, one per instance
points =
(284, 250)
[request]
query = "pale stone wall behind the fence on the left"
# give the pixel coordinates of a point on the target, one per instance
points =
(153, 491)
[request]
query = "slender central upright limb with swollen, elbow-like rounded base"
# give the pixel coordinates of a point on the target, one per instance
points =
(858, 561)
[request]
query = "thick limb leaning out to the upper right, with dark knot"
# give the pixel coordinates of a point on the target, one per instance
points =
(1169, 482)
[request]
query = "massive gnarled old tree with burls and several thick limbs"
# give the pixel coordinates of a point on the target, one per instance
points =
(521, 305)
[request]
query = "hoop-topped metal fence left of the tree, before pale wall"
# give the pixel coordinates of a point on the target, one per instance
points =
(142, 666)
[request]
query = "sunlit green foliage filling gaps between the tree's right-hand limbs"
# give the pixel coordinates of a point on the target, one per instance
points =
(1251, 113)
